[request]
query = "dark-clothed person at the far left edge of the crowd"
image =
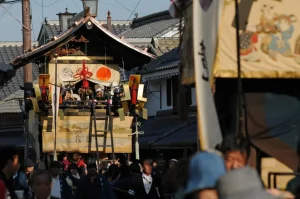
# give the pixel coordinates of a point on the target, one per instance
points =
(9, 164)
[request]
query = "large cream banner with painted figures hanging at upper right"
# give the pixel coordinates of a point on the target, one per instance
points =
(269, 40)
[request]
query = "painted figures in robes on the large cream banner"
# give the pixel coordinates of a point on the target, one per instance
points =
(275, 31)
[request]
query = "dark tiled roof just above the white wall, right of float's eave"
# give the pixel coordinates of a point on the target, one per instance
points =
(166, 61)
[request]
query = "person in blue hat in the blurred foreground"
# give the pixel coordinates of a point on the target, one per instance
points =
(205, 169)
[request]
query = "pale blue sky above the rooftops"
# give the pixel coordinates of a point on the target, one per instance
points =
(11, 16)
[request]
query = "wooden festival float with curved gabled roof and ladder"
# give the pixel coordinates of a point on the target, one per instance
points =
(81, 102)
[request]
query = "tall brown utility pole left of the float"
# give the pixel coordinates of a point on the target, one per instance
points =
(26, 20)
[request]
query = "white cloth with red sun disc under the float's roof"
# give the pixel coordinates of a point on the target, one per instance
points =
(97, 73)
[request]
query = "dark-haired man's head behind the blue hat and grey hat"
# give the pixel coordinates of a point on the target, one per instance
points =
(236, 152)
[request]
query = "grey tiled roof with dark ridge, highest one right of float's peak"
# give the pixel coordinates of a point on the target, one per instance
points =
(151, 25)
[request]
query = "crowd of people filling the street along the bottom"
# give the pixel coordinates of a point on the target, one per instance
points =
(220, 173)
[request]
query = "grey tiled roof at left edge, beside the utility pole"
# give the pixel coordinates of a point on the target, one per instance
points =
(11, 90)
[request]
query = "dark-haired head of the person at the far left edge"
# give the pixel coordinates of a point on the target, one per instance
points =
(9, 162)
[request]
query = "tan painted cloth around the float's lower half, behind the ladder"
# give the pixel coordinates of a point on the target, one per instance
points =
(75, 134)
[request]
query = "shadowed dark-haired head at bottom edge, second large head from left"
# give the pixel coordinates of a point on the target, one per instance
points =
(41, 184)
